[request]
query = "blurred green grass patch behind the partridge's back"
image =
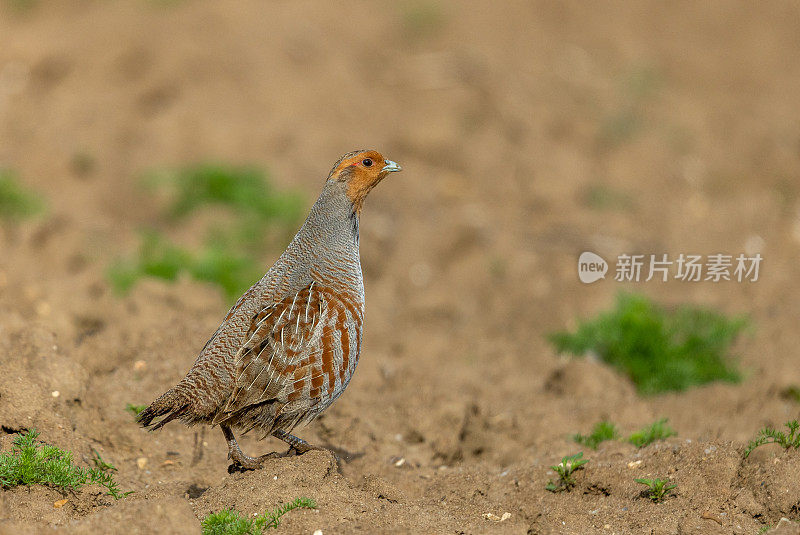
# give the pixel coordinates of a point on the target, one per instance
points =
(228, 257)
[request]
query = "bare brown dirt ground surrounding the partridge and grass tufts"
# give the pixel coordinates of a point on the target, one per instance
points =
(511, 119)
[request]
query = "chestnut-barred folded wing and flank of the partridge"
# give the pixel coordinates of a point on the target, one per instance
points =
(294, 351)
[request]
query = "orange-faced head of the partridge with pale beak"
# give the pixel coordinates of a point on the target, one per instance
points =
(359, 171)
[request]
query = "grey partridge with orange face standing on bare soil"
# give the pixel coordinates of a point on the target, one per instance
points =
(289, 346)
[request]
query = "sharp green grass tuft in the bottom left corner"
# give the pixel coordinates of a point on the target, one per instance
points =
(32, 463)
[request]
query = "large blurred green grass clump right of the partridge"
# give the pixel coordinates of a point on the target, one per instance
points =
(659, 350)
